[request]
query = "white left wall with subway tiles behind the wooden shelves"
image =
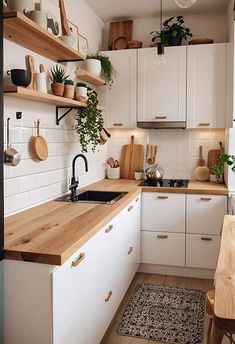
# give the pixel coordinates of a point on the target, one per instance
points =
(32, 182)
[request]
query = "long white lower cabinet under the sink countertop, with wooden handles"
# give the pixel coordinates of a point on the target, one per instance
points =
(83, 294)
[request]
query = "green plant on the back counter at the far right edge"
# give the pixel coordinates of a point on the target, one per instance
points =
(218, 168)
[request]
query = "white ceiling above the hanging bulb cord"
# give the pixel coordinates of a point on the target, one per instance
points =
(109, 10)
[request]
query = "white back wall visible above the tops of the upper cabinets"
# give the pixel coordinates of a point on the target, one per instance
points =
(202, 26)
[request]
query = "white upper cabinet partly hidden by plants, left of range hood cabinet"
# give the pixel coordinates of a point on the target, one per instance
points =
(121, 99)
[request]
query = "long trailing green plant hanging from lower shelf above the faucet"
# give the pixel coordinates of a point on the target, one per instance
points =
(89, 122)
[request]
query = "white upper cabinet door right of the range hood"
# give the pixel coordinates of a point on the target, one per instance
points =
(206, 86)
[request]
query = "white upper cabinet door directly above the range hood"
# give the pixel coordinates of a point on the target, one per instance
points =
(162, 89)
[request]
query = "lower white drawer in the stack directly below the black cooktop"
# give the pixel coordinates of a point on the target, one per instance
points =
(163, 248)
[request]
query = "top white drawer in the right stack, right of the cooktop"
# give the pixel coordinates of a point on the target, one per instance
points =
(205, 214)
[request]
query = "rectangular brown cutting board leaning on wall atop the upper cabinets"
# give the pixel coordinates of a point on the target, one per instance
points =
(120, 29)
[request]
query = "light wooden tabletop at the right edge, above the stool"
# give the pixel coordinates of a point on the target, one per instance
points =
(224, 306)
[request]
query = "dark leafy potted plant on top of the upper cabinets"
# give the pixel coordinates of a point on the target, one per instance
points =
(173, 32)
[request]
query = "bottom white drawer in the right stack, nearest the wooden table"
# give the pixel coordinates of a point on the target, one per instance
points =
(202, 251)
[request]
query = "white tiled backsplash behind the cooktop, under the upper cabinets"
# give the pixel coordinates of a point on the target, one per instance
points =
(178, 150)
